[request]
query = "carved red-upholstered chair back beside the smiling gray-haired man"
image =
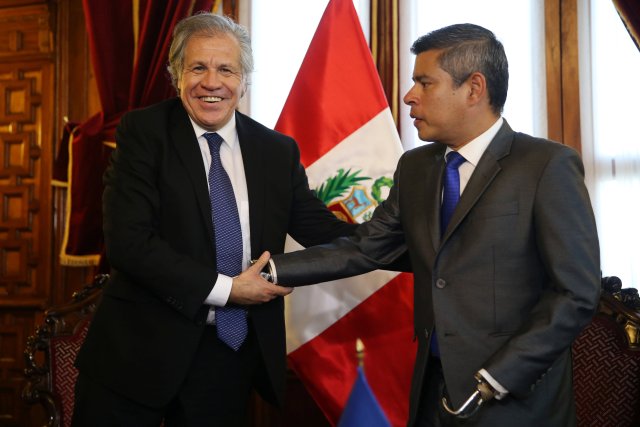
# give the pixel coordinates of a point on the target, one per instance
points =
(52, 350)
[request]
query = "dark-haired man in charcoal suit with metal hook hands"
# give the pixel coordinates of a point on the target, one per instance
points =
(508, 278)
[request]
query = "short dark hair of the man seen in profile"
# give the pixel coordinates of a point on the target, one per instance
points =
(466, 49)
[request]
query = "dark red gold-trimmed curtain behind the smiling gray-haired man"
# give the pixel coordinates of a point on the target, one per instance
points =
(124, 83)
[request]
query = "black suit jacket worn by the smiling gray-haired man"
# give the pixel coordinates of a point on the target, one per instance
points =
(160, 243)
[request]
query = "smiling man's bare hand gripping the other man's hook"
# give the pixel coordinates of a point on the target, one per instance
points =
(251, 288)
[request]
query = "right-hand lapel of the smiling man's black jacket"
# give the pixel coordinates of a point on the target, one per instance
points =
(255, 167)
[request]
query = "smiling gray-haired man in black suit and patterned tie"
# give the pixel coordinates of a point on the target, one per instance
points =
(155, 351)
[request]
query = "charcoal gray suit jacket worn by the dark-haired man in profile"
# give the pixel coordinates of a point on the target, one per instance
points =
(509, 285)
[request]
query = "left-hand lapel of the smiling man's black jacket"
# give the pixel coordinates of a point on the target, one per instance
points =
(185, 143)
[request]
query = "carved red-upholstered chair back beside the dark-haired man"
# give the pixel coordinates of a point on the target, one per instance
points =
(606, 361)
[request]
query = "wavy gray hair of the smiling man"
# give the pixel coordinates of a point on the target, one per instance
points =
(207, 24)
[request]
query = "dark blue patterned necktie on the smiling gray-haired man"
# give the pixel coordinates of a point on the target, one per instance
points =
(231, 322)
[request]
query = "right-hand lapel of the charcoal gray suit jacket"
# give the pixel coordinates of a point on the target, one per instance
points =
(487, 169)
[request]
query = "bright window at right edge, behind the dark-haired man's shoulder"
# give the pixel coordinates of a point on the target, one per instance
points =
(611, 145)
